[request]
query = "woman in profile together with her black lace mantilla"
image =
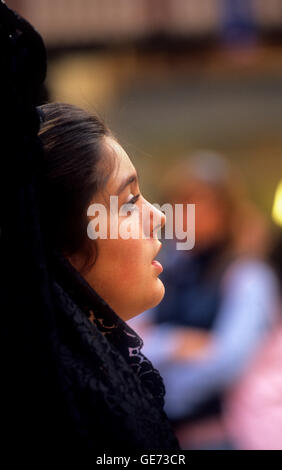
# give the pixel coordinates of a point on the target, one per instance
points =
(74, 381)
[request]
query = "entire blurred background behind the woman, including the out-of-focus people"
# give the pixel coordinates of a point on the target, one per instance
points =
(193, 91)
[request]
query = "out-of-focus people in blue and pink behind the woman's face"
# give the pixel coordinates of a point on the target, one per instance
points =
(216, 338)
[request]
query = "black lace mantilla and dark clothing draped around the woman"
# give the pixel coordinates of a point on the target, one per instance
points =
(73, 379)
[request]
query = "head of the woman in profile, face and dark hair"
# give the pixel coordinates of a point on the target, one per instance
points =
(84, 165)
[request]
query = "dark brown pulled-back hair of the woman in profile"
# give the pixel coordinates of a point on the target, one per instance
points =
(74, 171)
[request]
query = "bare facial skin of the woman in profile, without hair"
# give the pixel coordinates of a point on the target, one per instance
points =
(123, 273)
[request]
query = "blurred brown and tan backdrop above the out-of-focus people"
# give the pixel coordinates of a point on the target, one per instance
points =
(173, 76)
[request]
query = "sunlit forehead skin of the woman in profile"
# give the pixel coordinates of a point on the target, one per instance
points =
(123, 164)
